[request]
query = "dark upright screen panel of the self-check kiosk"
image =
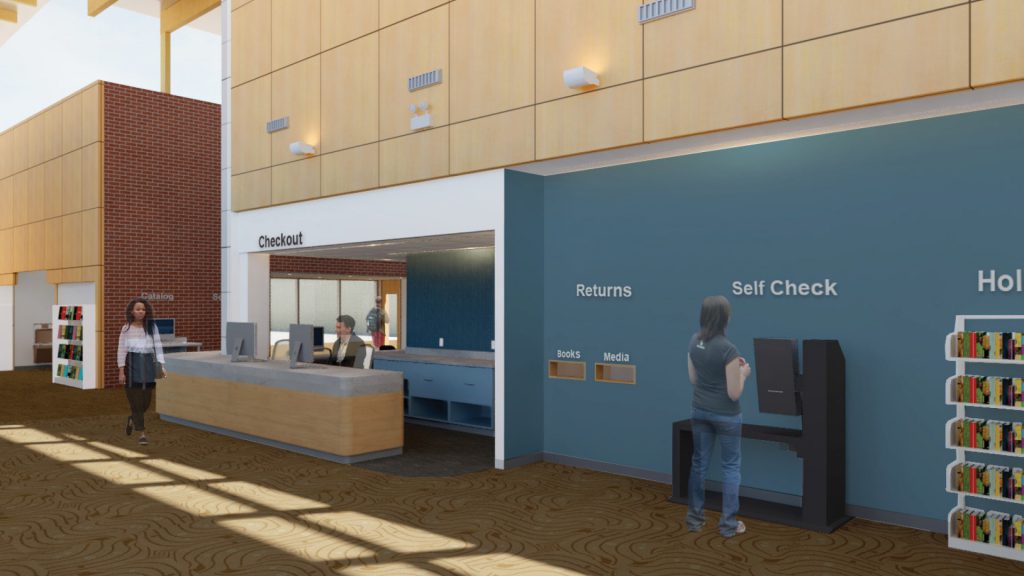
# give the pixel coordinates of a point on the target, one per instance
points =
(778, 372)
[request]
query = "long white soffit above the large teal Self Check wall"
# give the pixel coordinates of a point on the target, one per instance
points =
(906, 111)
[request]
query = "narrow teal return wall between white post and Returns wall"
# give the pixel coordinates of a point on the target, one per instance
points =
(525, 314)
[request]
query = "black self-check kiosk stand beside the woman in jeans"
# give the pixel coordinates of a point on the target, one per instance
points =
(821, 396)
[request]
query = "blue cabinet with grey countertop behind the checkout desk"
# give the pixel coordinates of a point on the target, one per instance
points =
(444, 393)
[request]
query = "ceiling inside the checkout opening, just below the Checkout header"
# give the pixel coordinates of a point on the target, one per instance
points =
(397, 250)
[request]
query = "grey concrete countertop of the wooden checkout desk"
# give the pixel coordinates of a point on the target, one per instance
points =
(318, 379)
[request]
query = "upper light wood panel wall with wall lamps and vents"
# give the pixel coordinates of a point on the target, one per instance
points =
(343, 81)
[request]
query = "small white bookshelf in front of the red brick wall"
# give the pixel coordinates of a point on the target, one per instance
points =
(75, 346)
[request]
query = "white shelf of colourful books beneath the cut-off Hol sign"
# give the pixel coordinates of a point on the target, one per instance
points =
(990, 421)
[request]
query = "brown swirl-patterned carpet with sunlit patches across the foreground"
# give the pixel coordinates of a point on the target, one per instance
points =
(77, 498)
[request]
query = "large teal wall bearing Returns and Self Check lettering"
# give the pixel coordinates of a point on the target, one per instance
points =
(903, 217)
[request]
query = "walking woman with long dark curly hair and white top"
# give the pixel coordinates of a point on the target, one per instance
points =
(141, 362)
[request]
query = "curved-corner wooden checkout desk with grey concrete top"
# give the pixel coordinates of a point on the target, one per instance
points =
(340, 415)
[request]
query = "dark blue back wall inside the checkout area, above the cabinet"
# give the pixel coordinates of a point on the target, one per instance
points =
(451, 296)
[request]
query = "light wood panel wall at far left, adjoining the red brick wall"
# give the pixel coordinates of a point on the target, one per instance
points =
(52, 211)
